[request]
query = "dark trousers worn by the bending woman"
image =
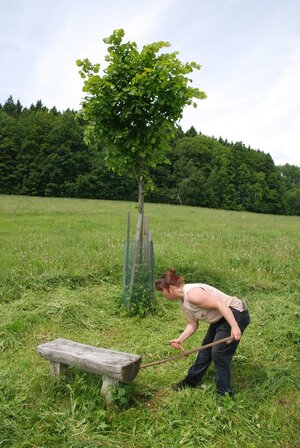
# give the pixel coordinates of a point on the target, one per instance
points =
(220, 354)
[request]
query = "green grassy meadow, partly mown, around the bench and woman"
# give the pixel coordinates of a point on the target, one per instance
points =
(61, 276)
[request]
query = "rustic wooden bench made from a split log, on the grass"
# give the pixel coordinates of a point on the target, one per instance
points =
(112, 365)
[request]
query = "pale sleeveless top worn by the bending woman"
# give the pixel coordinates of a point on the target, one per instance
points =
(208, 315)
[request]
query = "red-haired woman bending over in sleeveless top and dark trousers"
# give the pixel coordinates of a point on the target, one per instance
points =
(227, 316)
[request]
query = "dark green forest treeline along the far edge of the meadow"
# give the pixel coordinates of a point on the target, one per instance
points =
(42, 153)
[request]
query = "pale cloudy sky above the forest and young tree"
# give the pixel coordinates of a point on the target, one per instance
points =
(248, 51)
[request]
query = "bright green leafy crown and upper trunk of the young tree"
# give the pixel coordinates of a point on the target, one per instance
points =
(133, 107)
